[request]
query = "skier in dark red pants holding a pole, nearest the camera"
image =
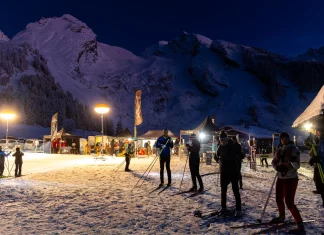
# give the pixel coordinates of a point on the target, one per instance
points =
(286, 162)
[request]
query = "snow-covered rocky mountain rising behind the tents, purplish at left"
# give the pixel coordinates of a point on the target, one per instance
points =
(183, 80)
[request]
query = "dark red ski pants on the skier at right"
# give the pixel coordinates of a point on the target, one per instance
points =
(285, 192)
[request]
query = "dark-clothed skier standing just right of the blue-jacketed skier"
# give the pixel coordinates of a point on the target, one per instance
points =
(194, 163)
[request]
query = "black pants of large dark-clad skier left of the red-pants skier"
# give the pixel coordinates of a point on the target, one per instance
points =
(226, 179)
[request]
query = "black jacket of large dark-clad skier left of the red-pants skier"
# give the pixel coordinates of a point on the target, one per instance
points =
(226, 155)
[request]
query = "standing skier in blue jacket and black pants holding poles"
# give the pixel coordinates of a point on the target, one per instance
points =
(164, 144)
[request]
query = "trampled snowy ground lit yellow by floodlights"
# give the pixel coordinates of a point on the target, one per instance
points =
(73, 194)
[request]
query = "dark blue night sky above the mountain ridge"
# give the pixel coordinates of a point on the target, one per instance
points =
(285, 27)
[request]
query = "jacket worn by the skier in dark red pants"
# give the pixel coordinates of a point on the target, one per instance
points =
(287, 161)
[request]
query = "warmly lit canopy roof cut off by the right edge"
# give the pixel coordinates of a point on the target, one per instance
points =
(313, 113)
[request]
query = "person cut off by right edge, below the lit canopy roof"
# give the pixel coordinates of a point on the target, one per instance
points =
(317, 160)
